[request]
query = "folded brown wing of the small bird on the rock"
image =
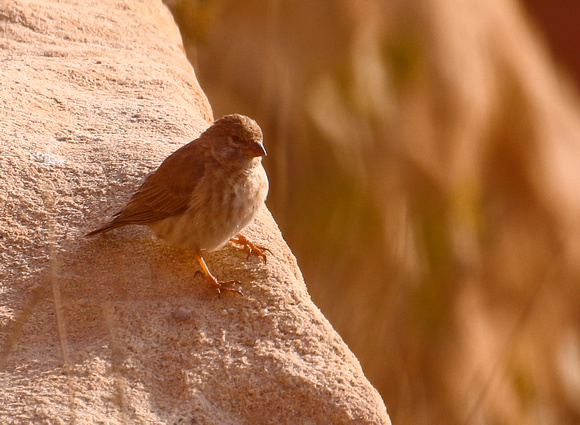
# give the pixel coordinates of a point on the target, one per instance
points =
(167, 191)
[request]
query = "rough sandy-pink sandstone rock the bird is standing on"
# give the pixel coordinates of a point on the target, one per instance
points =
(118, 329)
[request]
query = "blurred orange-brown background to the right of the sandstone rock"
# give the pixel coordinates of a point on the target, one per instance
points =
(424, 159)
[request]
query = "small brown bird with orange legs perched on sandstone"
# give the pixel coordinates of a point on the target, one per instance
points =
(204, 193)
